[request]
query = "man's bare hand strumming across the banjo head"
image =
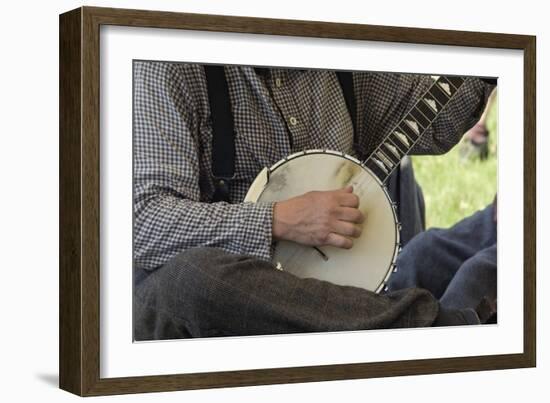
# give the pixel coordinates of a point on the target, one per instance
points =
(319, 218)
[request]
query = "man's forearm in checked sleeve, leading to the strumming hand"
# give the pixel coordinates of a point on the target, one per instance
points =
(166, 225)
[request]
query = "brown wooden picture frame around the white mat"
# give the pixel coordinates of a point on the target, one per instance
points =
(79, 316)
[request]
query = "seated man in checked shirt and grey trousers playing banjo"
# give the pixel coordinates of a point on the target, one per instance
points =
(203, 266)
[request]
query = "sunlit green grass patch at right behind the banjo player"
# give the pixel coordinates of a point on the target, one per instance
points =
(455, 188)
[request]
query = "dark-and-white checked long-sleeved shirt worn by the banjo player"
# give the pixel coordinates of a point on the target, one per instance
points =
(276, 112)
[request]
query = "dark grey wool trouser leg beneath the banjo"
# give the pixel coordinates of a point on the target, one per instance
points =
(206, 292)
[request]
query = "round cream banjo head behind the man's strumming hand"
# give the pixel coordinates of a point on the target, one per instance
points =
(371, 260)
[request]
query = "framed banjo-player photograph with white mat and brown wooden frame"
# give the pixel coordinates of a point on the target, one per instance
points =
(249, 201)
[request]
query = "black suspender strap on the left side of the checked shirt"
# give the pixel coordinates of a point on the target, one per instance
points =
(223, 136)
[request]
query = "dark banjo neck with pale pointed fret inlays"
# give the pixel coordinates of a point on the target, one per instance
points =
(406, 134)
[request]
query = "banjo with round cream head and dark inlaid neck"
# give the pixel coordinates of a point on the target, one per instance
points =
(372, 259)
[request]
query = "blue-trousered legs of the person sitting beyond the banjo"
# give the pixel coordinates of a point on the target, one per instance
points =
(457, 265)
